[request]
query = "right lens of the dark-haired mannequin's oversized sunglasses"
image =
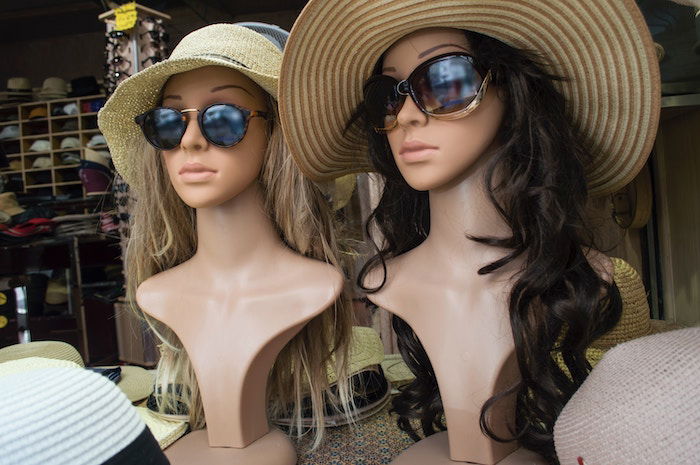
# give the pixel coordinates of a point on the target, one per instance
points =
(447, 86)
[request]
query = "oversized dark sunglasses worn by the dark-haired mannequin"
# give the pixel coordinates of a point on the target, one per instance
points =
(445, 87)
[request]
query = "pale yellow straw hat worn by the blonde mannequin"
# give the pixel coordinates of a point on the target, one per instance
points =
(227, 45)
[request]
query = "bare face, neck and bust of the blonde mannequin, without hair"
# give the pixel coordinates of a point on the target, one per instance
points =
(244, 294)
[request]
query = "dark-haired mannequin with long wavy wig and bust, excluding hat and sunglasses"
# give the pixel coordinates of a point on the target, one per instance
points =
(476, 220)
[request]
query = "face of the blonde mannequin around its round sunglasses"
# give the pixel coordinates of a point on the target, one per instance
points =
(227, 171)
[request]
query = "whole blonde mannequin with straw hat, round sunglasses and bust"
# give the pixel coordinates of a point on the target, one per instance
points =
(232, 256)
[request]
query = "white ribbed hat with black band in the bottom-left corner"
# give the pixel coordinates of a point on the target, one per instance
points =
(70, 416)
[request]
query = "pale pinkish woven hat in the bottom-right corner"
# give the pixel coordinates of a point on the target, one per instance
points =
(638, 406)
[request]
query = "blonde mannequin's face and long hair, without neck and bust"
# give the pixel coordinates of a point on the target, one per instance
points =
(163, 234)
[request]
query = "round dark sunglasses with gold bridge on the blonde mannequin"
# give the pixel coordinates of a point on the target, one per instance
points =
(222, 124)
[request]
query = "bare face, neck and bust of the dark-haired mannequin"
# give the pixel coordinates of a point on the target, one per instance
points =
(458, 314)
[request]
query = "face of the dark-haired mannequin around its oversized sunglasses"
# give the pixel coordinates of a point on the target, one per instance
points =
(452, 147)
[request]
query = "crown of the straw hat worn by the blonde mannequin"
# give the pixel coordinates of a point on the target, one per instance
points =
(229, 42)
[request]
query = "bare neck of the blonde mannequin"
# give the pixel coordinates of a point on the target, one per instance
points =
(237, 232)
